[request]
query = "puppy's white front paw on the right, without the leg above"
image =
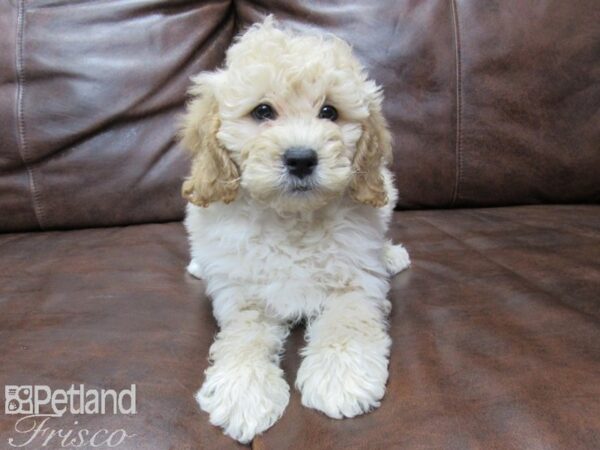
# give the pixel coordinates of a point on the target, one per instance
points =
(342, 383)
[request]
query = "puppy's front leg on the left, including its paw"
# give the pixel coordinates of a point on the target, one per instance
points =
(244, 391)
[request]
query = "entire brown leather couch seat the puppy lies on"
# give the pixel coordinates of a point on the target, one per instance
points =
(495, 333)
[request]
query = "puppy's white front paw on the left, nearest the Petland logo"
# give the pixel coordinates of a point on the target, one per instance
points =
(244, 401)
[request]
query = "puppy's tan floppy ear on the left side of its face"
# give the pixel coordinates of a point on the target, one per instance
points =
(214, 176)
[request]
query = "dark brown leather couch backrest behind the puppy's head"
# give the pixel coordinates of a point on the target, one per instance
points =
(490, 103)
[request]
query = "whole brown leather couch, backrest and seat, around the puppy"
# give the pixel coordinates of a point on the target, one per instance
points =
(494, 106)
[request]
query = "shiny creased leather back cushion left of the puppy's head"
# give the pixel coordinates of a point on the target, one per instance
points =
(98, 88)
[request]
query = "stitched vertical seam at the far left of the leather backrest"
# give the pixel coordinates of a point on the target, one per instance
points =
(22, 141)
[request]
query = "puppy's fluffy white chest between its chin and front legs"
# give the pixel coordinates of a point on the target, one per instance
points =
(290, 268)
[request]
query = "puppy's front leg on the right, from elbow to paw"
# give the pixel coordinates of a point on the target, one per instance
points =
(345, 364)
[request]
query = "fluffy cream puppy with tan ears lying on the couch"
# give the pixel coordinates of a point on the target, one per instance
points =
(289, 202)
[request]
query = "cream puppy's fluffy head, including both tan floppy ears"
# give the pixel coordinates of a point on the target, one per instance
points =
(292, 120)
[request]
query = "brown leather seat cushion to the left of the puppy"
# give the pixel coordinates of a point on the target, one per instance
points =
(108, 308)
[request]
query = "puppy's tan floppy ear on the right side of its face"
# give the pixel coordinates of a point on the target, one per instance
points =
(373, 150)
